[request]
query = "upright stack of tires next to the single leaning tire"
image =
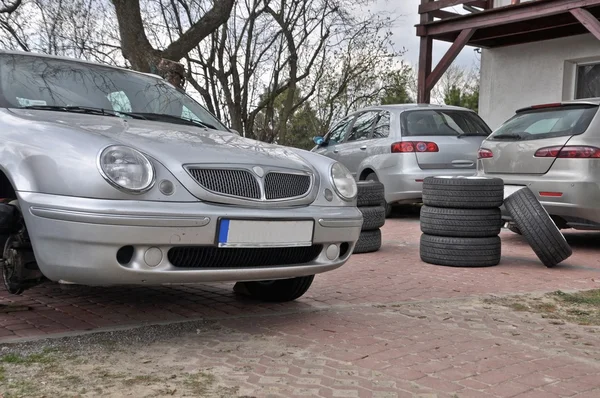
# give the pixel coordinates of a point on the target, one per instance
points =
(461, 221)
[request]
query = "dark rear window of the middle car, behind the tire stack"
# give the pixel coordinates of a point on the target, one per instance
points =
(442, 122)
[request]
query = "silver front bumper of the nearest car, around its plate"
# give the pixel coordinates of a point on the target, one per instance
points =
(76, 240)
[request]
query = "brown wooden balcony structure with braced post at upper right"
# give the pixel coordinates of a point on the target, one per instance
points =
(488, 27)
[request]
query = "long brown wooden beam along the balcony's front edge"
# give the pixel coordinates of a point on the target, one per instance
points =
(504, 15)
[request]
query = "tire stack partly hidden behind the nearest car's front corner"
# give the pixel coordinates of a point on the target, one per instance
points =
(371, 203)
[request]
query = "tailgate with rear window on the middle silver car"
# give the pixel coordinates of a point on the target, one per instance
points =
(457, 134)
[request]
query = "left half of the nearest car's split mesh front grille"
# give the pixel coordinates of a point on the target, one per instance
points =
(239, 183)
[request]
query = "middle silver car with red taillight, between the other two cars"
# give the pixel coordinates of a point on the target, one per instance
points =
(400, 145)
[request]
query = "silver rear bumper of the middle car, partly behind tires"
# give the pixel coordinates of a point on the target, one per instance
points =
(405, 185)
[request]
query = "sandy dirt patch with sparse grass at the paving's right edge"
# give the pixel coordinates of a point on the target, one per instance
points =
(581, 308)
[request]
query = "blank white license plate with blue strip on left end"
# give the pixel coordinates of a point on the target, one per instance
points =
(251, 233)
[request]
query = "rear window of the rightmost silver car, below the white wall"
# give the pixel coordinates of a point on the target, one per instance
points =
(546, 123)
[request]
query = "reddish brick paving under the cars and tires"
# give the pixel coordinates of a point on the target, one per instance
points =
(383, 325)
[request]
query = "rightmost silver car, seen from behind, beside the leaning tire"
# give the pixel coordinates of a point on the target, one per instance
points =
(554, 149)
